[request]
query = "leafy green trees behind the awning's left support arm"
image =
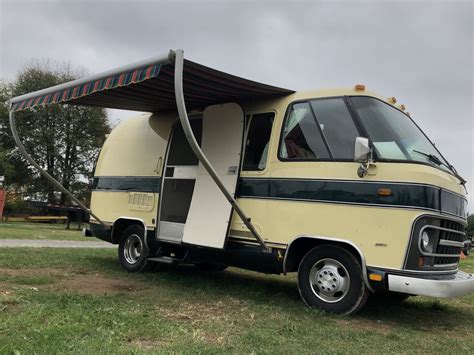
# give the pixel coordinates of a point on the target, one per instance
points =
(64, 139)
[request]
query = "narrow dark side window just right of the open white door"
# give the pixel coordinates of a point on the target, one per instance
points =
(258, 138)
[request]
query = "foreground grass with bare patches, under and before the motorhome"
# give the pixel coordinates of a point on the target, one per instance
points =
(64, 300)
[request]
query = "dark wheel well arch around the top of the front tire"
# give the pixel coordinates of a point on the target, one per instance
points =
(298, 249)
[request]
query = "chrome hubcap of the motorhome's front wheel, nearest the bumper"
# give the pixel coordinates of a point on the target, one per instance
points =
(329, 280)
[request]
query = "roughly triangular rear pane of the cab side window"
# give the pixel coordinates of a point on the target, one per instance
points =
(301, 138)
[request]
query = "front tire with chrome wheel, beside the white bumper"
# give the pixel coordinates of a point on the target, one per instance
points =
(330, 278)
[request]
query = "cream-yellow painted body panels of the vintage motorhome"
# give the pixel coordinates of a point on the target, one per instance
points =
(137, 148)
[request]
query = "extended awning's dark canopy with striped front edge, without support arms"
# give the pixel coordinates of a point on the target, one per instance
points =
(149, 86)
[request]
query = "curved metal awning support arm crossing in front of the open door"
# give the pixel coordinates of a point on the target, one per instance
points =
(183, 117)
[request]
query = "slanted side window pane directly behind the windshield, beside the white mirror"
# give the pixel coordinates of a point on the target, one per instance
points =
(337, 126)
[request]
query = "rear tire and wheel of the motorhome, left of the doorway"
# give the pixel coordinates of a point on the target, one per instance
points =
(132, 251)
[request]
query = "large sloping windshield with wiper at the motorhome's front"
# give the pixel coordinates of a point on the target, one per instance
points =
(393, 134)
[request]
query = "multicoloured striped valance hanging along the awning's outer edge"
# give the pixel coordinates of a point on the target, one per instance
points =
(76, 92)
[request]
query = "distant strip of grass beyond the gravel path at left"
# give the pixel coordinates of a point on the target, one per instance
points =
(38, 231)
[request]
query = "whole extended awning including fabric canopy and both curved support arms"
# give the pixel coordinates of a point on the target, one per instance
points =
(158, 84)
